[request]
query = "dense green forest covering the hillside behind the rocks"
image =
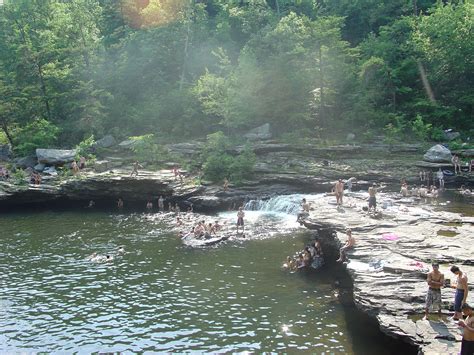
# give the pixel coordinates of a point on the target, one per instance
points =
(183, 69)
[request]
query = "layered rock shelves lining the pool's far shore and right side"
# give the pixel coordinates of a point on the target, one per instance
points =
(388, 273)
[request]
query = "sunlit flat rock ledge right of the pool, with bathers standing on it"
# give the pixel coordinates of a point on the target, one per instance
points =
(389, 264)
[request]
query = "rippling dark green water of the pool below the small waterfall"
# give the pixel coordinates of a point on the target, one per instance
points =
(160, 295)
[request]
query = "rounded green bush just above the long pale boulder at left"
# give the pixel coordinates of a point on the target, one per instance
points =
(37, 134)
